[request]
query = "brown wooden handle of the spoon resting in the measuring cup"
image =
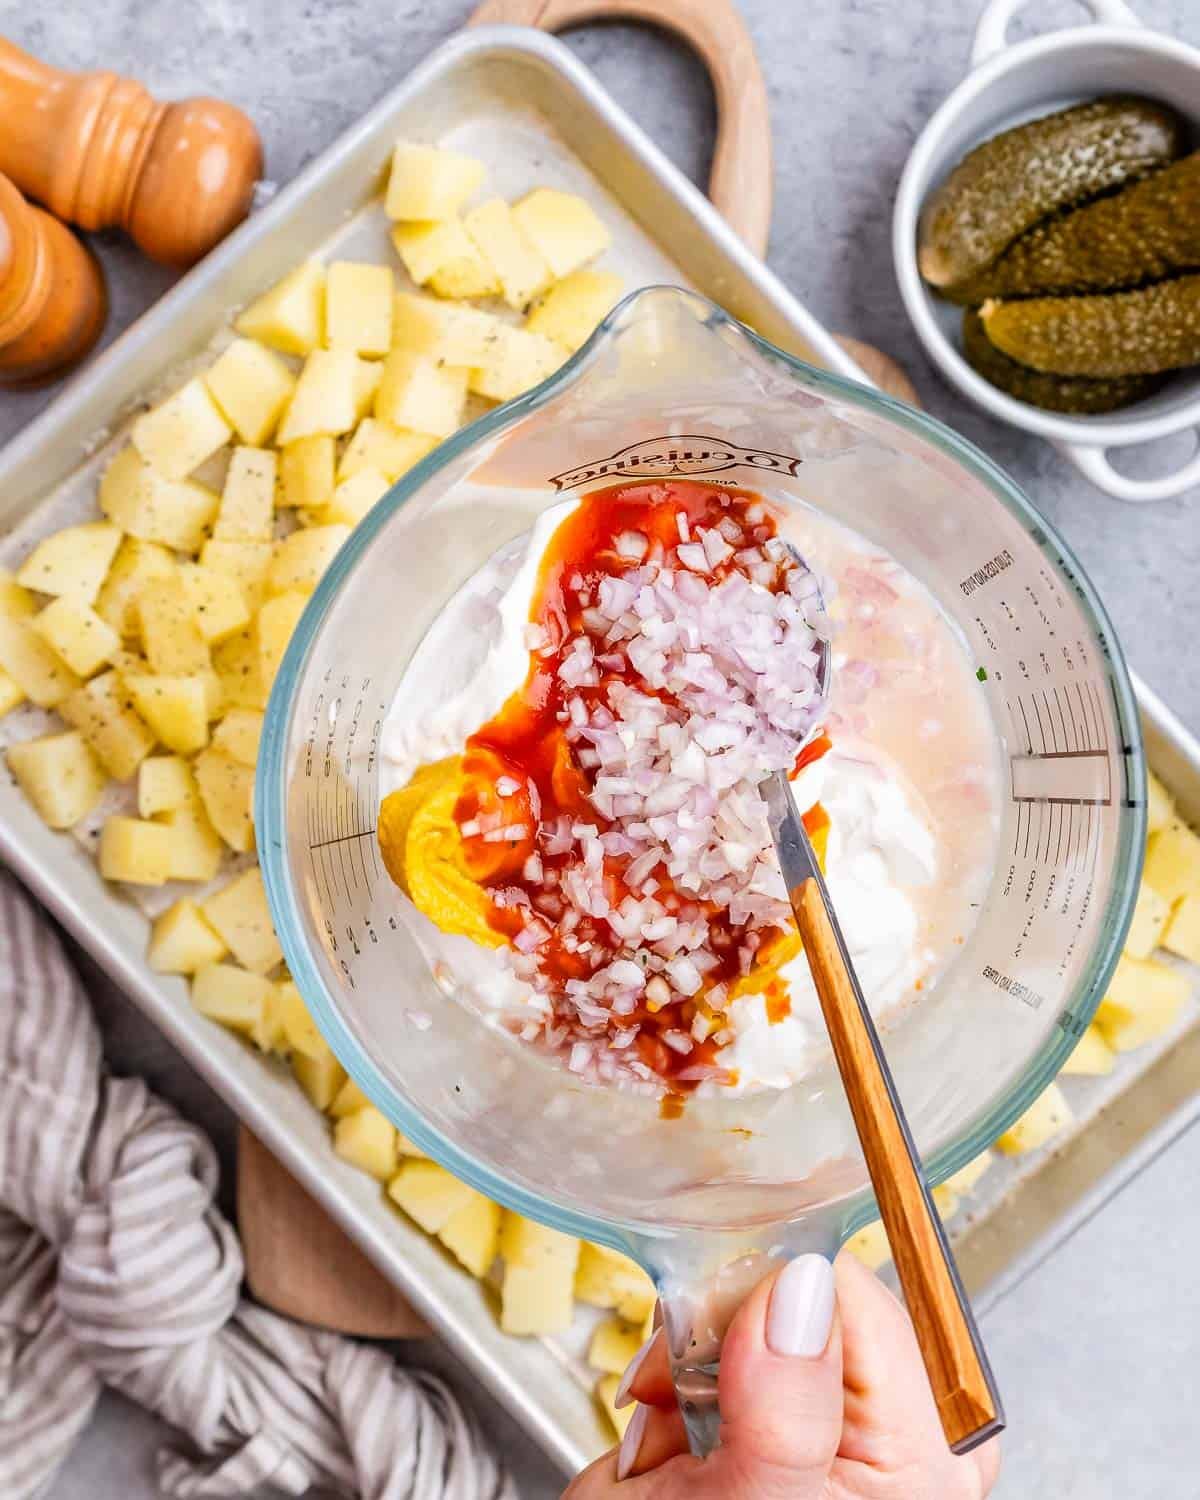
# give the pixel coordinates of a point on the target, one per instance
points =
(950, 1343)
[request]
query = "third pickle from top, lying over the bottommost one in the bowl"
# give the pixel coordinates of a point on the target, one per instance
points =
(1123, 334)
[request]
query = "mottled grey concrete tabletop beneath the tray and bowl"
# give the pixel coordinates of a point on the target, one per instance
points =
(1097, 1349)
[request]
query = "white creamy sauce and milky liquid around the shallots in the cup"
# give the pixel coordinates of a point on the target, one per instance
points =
(911, 785)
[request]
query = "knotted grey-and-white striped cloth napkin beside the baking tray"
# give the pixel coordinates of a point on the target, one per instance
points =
(118, 1270)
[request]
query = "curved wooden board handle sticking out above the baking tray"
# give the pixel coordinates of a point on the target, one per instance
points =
(740, 182)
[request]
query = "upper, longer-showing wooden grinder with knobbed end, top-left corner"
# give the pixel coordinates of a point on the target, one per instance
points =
(100, 151)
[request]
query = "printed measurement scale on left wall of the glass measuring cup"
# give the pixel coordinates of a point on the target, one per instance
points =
(341, 823)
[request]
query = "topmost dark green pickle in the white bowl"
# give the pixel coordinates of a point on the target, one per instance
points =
(1009, 184)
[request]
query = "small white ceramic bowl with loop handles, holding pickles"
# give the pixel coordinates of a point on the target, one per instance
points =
(1009, 85)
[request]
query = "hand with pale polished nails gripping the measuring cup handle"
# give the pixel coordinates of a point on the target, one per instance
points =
(824, 1397)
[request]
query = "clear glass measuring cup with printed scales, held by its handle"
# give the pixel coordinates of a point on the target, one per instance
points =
(671, 386)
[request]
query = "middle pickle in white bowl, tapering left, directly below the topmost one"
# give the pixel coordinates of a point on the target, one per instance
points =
(1147, 232)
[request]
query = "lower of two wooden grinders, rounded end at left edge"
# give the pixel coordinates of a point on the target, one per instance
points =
(53, 299)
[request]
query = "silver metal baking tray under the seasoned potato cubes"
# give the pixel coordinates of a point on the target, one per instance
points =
(521, 103)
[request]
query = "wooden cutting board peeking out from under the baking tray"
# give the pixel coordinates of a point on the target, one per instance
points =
(298, 1261)
